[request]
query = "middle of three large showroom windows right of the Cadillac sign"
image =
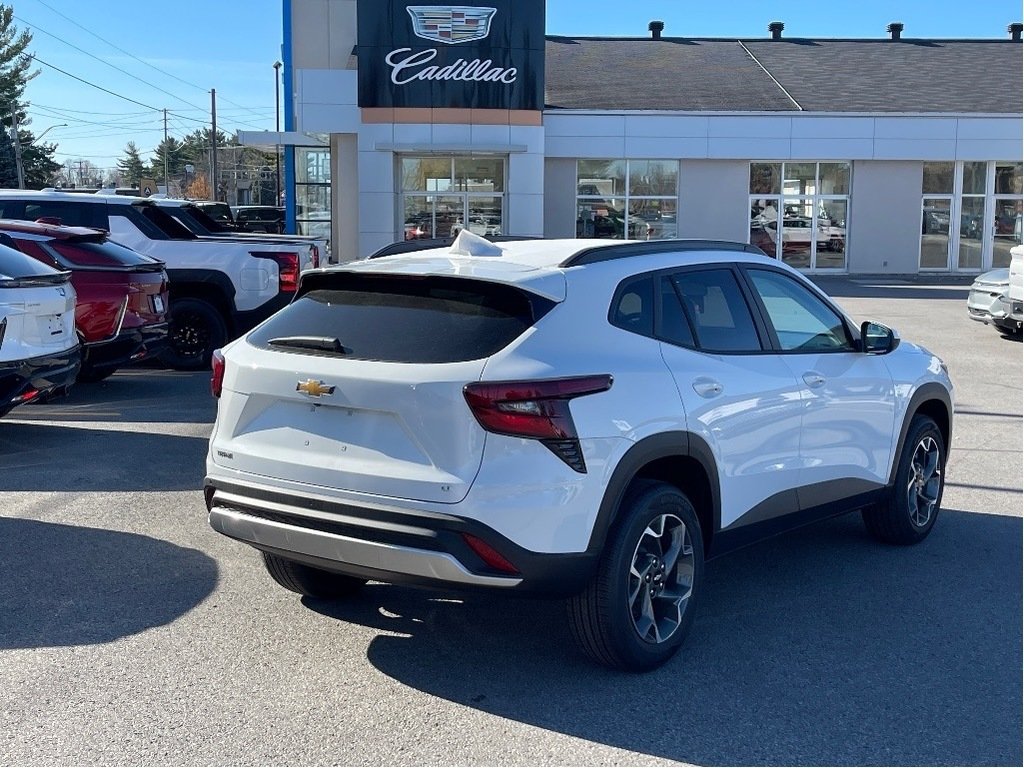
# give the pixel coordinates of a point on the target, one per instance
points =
(800, 211)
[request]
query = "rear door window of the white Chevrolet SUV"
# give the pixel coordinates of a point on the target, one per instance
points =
(718, 312)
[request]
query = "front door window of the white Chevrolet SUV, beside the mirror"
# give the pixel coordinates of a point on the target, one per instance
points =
(801, 321)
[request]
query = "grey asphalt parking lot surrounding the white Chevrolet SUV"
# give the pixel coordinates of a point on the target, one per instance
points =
(131, 633)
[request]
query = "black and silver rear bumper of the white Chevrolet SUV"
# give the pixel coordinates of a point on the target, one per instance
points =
(387, 545)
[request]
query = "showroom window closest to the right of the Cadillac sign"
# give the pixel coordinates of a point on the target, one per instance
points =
(628, 199)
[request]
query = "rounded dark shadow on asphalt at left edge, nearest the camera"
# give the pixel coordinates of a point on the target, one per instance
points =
(68, 585)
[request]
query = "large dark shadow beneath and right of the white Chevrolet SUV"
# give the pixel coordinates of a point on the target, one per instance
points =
(821, 648)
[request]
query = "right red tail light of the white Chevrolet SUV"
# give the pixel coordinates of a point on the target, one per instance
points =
(538, 410)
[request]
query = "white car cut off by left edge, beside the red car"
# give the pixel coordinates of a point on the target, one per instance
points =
(39, 352)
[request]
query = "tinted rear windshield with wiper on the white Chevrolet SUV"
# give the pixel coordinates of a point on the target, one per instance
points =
(403, 320)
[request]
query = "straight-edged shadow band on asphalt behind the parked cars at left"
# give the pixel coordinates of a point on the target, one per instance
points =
(37, 456)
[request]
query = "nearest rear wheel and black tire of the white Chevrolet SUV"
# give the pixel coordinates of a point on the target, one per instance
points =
(615, 630)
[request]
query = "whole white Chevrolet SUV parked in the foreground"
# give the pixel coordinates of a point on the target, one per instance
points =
(586, 419)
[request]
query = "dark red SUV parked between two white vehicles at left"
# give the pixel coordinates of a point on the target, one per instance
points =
(121, 315)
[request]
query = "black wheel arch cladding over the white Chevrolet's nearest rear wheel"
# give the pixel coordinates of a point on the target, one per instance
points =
(680, 459)
